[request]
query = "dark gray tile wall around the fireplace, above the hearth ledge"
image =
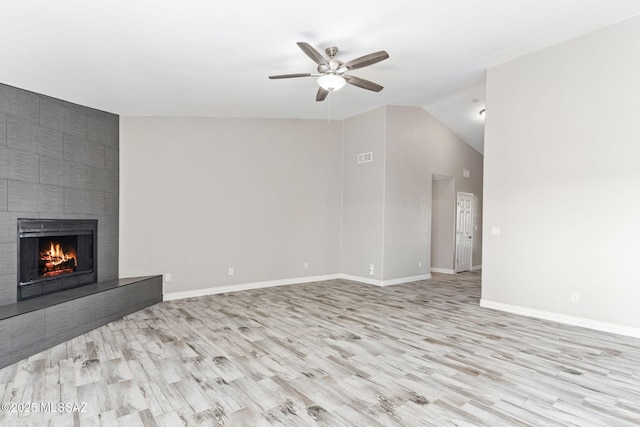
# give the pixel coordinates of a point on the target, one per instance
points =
(57, 160)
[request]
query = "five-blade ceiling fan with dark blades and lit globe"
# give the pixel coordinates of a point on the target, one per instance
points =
(332, 72)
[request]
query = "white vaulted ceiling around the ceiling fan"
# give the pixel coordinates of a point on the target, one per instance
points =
(212, 58)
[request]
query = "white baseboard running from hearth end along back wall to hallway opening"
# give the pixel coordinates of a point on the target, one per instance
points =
(272, 283)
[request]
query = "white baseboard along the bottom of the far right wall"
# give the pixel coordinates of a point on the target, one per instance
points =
(563, 318)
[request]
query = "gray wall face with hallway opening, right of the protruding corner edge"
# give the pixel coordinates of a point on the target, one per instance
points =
(418, 146)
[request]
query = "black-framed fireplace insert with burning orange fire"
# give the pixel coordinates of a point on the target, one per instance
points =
(55, 254)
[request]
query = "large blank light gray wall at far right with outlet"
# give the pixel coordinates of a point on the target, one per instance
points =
(562, 144)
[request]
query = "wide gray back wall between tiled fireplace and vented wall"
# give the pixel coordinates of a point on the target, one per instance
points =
(201, 195)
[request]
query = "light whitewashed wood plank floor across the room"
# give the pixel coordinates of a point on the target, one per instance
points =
(333, 353)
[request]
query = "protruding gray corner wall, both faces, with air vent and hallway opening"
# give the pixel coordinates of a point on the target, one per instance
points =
(392, 194)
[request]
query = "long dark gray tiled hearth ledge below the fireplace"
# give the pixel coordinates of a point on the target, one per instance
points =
(31, 326)
